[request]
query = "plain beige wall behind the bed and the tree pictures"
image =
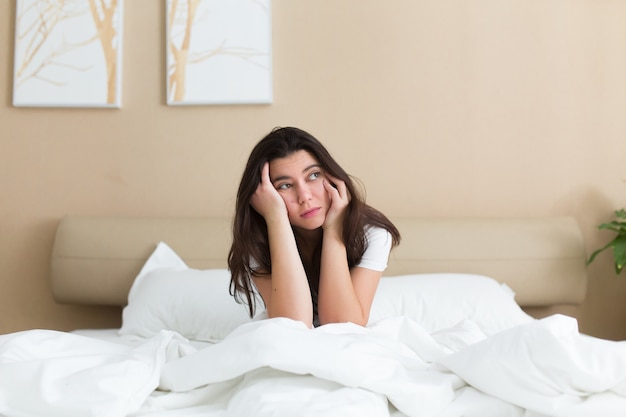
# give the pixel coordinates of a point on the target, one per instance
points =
(443, 108)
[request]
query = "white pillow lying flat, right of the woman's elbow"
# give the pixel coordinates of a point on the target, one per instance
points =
(441, 301)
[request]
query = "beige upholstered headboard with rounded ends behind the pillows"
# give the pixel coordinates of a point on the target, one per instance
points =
(95, 259)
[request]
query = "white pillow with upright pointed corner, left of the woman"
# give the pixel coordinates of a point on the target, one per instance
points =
(167, 294)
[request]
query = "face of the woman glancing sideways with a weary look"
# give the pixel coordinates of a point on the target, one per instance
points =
(299, 179)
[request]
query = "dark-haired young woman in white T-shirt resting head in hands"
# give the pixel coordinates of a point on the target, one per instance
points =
(303, 237)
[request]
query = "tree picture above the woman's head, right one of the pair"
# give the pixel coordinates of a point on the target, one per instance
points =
(218, 52)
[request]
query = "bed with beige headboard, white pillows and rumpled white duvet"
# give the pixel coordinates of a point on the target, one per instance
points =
(447, 334)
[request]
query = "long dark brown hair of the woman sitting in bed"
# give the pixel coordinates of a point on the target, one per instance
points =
(250, 238)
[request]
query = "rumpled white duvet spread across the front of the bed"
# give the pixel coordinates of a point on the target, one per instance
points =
(278, 367)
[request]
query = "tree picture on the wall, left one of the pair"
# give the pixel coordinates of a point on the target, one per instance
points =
(68, 53)
